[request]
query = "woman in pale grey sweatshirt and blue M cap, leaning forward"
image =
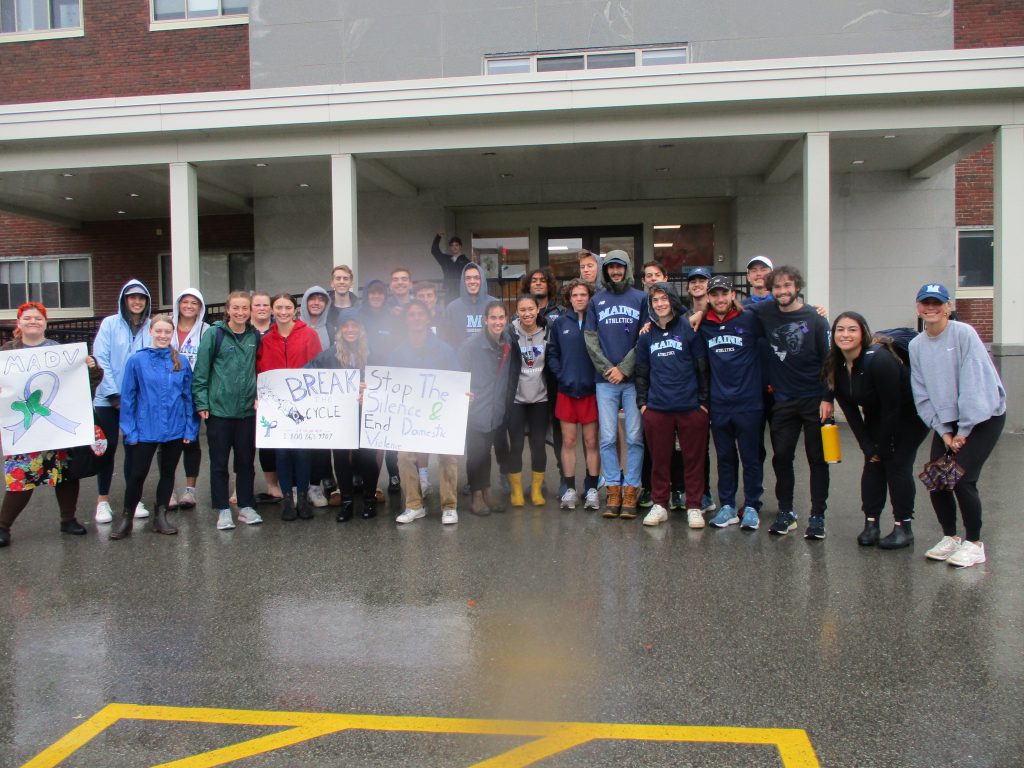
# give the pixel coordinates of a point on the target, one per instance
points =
(960, 397)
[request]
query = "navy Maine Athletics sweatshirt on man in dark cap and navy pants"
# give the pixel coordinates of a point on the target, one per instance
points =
(735, 347)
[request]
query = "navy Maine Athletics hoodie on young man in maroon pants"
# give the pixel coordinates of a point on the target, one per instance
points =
(672, 365)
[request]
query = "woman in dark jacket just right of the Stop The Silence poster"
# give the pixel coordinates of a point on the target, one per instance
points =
(489, 358)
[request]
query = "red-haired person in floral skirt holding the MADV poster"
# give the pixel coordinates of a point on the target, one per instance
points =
(25, 473)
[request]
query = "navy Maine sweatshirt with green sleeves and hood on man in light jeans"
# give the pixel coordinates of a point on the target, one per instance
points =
(614, 321)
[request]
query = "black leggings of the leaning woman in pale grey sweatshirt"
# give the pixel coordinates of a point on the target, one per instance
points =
(972, 458)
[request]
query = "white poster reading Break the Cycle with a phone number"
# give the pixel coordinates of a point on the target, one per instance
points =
(309, 408)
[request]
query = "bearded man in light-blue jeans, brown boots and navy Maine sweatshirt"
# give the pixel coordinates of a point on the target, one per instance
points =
(613, 326)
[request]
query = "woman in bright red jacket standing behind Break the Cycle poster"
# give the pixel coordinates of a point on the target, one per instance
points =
(289, 344)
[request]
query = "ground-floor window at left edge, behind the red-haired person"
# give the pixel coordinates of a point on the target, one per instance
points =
(60, 283)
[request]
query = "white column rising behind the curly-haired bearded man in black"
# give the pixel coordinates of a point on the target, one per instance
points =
(818, 222)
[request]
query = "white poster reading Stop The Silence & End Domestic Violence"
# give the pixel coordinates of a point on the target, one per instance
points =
(415, 410)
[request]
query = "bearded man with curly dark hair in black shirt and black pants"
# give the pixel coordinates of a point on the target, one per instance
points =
(799, 340)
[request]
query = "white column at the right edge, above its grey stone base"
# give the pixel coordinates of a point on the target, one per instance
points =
(1008, 309)
